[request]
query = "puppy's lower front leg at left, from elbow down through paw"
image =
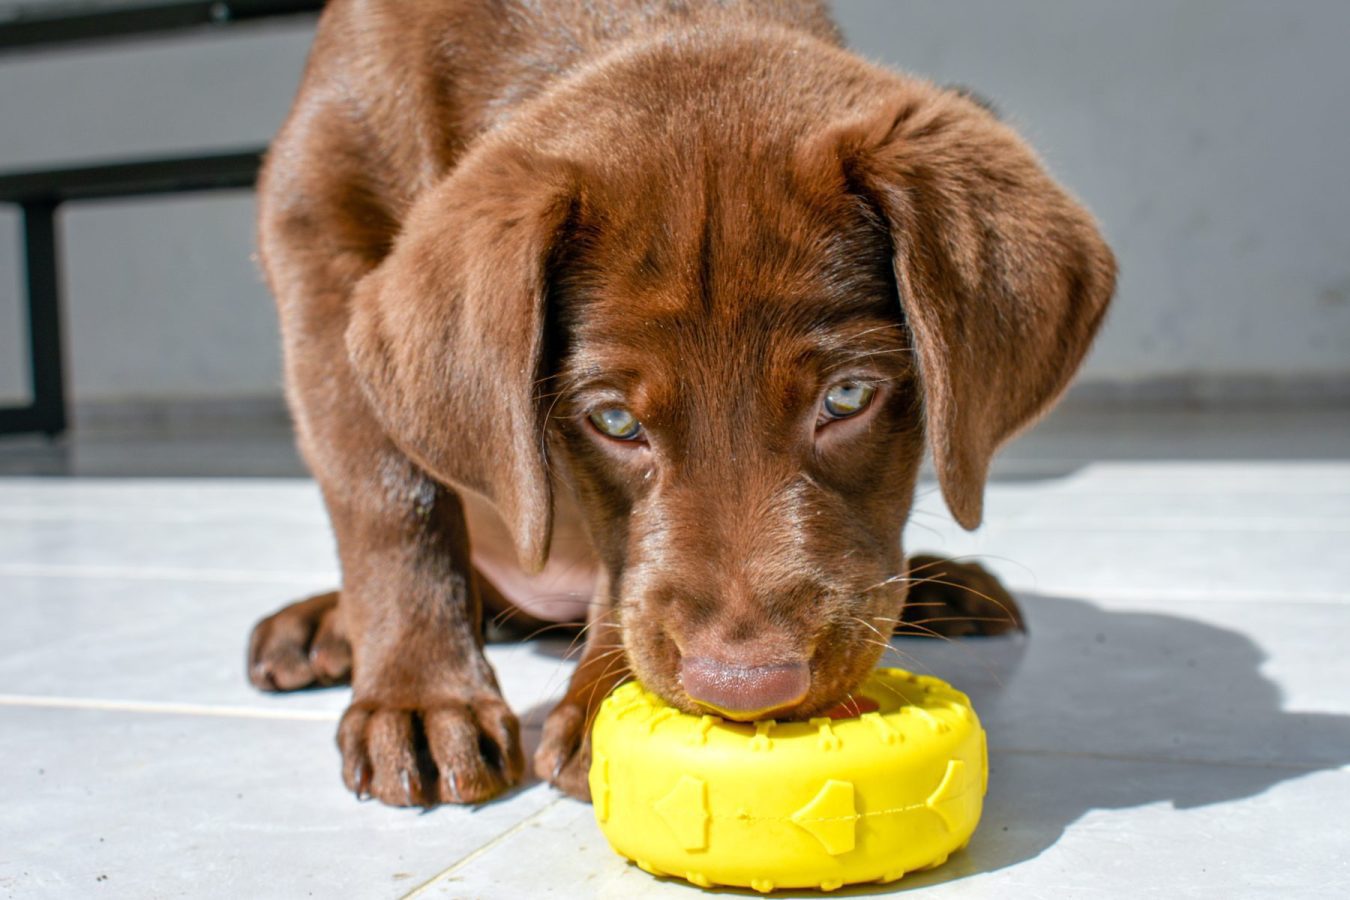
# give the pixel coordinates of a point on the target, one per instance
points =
(427, 723)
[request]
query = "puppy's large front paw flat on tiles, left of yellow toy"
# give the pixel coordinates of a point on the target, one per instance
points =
(458, 751)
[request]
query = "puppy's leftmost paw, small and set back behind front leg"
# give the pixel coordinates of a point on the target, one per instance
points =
(300, 646)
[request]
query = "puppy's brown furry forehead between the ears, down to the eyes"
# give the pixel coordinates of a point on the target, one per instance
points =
(704, 277)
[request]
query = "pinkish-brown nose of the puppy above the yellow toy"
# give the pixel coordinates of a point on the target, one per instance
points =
(745, 693)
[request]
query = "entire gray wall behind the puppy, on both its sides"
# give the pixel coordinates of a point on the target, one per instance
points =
(1210, 137)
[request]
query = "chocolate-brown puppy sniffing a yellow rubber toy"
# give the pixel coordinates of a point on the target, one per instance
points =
(655, 302)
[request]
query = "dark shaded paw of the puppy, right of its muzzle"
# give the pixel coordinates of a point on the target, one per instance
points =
(956, 600)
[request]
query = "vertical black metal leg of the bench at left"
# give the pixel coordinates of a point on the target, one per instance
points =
(49, 393)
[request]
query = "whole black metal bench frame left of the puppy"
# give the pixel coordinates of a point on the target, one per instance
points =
(41, 194)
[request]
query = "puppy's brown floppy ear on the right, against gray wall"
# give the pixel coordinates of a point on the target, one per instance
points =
(1004, 279)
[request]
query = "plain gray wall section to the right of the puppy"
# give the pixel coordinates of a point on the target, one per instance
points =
(1210, 137)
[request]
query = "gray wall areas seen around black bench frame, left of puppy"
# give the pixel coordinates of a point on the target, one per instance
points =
(164, 298)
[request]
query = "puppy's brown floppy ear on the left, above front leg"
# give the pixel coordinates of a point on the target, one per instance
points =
(448, 334)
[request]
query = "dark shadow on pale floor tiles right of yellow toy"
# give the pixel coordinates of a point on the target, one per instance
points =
(1113, 710)
